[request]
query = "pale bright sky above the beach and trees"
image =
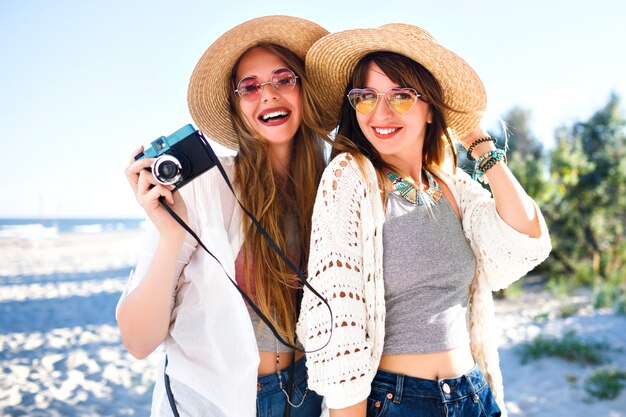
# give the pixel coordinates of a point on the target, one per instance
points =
(84, 83)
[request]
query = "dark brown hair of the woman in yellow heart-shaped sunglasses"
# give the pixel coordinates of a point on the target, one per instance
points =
(406, 73)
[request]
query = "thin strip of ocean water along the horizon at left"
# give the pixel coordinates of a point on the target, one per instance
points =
(50, 228)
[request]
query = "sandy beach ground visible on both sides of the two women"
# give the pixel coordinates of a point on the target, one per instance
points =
(61, 354)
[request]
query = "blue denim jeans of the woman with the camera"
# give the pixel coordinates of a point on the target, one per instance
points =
(271, 400)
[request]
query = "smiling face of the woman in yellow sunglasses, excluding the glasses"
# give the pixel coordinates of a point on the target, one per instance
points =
(397, 138)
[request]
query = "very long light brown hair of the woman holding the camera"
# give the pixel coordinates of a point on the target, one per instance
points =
(270, 199)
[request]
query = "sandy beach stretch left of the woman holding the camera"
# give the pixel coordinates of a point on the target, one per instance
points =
(60, 349)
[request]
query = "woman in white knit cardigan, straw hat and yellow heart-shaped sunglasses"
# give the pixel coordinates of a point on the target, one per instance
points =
(406, 247)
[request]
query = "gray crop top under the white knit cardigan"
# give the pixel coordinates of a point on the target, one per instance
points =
(428, 266)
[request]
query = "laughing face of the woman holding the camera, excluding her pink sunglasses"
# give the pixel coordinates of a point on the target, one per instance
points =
(275, 116)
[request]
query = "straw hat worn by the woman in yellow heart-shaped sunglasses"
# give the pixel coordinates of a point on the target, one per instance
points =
(330, 62)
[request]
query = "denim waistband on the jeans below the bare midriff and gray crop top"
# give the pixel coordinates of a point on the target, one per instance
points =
(446, 389)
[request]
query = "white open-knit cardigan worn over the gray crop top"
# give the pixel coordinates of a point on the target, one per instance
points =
(346, 267)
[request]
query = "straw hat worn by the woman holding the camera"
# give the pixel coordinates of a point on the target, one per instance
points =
(210, 81)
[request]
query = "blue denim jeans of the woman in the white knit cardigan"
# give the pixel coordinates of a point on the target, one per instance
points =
(396, 395)
